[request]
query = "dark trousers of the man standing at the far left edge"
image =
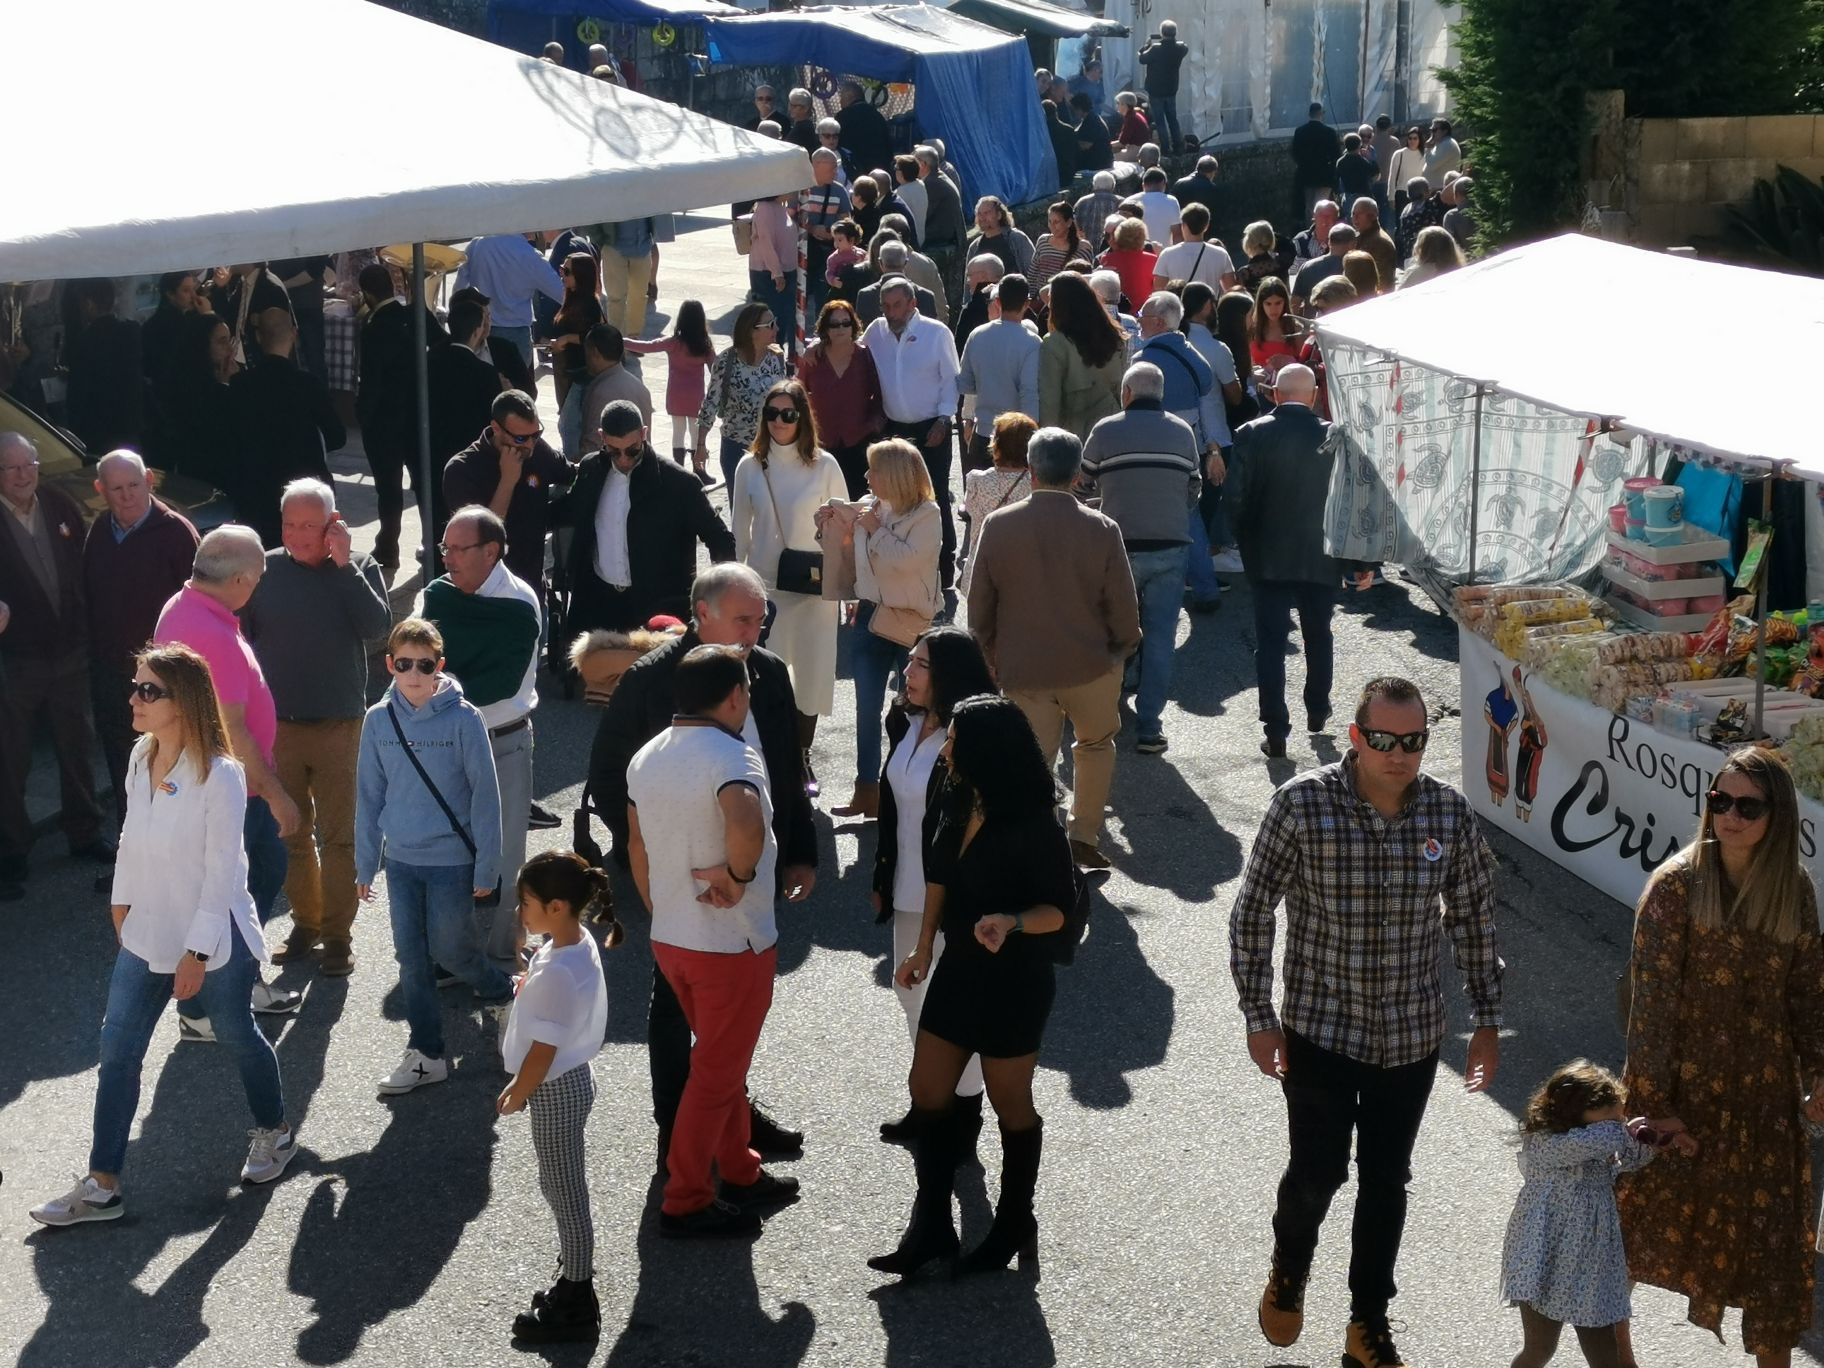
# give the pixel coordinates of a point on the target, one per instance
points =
(48, 696)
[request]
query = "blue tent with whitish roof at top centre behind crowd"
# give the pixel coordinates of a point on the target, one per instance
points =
(975, 85)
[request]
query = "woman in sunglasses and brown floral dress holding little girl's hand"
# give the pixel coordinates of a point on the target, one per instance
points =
(1726, 1035)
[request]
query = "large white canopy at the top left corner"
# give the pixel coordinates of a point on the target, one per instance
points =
(393, 129)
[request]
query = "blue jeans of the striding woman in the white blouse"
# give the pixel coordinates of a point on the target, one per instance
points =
(136, 999)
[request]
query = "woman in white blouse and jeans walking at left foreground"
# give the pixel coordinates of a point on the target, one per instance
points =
(185, 922)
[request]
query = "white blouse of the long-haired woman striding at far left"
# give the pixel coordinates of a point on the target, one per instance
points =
(181, 871)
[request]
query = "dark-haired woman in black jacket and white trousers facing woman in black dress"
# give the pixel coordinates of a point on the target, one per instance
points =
(944, 668)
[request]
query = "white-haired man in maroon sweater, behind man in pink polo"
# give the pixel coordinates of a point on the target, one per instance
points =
(136, 555)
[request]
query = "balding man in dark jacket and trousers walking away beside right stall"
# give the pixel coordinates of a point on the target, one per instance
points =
(1276, 492)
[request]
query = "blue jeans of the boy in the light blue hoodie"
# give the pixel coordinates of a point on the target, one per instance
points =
(433, 918)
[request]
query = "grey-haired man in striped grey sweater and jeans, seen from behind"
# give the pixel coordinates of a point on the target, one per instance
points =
(1145, 462)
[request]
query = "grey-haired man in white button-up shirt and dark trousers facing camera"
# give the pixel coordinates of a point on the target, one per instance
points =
(918, 368)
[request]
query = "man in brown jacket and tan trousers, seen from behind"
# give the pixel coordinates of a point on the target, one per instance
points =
(1053, 603)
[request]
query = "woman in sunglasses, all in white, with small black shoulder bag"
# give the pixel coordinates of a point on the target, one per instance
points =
(780, 486)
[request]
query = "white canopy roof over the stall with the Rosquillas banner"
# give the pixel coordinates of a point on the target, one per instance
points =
(1513, 322)
